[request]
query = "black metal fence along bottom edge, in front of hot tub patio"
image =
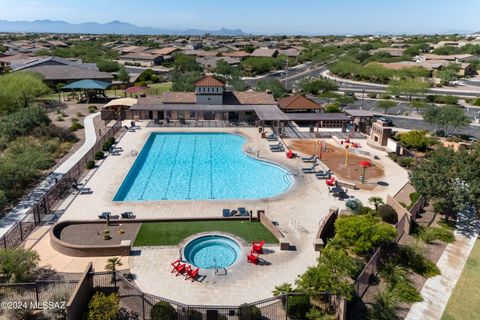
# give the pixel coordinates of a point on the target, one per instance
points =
(140, 304)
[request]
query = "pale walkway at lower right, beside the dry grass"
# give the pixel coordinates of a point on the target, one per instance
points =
(437, 290)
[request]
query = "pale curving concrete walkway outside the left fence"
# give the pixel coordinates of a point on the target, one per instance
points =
(19, 212)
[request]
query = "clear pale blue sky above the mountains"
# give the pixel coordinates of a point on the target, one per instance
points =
(262, 16)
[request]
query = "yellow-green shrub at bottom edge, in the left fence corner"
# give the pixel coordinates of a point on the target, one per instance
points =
(103, 307)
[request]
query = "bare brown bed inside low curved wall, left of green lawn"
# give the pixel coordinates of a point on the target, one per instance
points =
(92, 234)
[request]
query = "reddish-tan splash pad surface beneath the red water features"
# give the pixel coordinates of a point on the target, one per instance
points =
(334, 159)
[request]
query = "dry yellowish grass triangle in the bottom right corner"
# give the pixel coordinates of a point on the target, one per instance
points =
(465, 299)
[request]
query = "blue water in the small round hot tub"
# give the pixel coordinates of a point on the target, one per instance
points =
(211, 252)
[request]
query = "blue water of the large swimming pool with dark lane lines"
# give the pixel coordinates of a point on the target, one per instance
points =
(200, 166)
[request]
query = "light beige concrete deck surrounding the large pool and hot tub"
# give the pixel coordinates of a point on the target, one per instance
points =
(298, 213)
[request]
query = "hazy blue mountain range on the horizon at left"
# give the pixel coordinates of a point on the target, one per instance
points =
(114, 27)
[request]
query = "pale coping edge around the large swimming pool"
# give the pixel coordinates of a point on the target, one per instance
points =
(295, 176)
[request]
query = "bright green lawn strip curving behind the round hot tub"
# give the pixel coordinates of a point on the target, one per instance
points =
(171, 233)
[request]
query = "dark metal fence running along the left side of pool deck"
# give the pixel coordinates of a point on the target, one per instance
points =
(21, 229)
